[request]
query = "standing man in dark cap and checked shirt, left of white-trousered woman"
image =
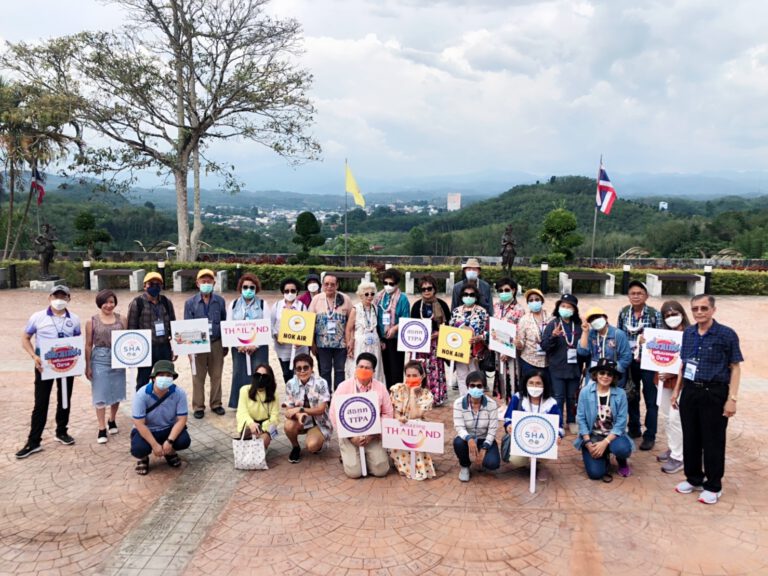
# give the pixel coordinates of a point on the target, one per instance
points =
(633, 320)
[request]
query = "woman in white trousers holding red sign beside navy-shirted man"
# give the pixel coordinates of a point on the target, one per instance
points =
(675, 318)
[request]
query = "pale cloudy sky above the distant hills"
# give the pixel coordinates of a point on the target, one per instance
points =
(415, 89)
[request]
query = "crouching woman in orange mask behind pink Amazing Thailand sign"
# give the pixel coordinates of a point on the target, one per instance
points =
(410, 400)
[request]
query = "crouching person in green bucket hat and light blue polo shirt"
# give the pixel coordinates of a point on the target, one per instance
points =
(159, 419)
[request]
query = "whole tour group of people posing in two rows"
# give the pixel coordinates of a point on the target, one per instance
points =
(583, 370)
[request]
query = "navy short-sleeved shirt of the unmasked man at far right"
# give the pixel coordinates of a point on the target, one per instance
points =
(714, 351)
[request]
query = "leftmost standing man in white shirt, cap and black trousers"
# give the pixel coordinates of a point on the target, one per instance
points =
(53, 322)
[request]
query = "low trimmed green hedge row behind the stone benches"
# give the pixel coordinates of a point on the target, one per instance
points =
(724, 282)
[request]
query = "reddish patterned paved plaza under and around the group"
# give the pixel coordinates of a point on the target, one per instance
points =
(82, 509)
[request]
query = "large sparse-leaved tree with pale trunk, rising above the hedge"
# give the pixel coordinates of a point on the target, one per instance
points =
(178, 75)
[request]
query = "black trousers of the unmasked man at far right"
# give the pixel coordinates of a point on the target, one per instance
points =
(701, 415)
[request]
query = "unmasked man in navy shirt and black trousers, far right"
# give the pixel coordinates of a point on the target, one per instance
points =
(708, 388)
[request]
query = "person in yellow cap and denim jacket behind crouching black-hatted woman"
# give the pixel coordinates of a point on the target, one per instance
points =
(601, 340)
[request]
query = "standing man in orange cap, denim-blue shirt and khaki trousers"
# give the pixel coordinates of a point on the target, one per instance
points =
(205, 304)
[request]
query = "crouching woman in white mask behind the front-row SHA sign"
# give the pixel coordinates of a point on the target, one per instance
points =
(535, 396)
